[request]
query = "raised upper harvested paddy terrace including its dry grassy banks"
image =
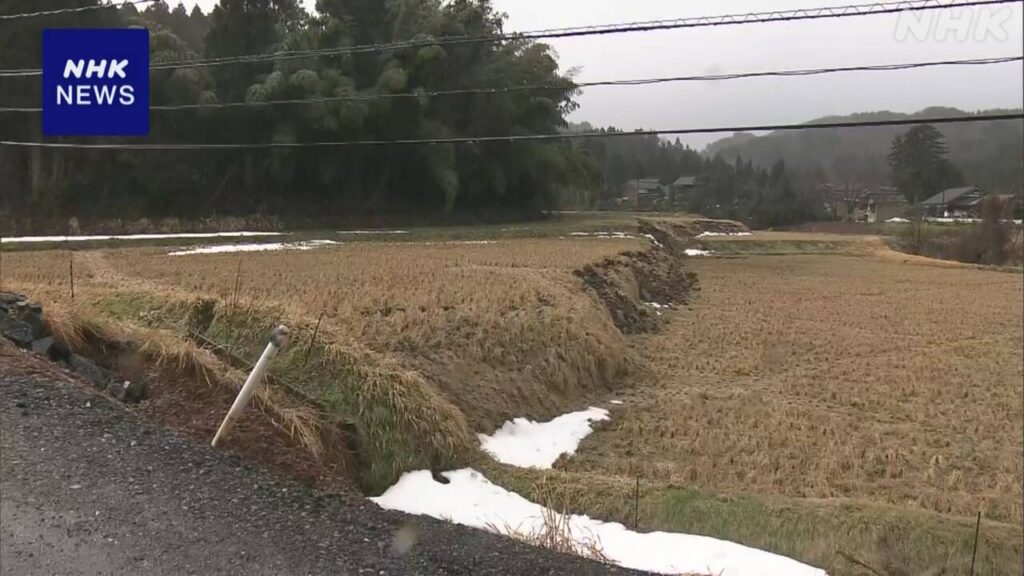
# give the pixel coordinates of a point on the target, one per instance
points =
(420, 345)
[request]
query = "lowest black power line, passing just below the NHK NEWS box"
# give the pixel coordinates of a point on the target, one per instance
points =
(530, 138)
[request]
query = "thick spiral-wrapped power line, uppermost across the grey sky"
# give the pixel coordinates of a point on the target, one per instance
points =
(649, 26)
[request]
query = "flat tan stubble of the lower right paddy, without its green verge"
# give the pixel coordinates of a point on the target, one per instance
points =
(834, 377)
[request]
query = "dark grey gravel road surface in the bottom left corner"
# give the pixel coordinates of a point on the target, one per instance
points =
(88, 487)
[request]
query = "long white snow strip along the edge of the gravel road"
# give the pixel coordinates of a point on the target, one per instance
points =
(471, 500)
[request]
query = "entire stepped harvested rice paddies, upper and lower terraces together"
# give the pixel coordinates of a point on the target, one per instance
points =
(821, 397)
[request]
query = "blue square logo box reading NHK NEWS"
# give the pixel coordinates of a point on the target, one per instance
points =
(97, 83)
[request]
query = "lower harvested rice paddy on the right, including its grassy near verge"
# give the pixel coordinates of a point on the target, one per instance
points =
(871, 403)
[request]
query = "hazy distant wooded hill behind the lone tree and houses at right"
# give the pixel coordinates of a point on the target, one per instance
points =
(990, 154)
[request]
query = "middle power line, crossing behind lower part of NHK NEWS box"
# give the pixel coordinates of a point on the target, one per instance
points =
(577, 86)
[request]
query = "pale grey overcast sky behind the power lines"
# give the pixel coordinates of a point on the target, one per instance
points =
(991, 31)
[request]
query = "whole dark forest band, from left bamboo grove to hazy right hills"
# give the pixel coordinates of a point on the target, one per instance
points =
(390, 95)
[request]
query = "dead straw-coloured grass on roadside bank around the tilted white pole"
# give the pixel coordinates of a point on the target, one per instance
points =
(192, 389)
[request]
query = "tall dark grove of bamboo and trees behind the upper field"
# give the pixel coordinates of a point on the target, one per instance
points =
(508, 180)
